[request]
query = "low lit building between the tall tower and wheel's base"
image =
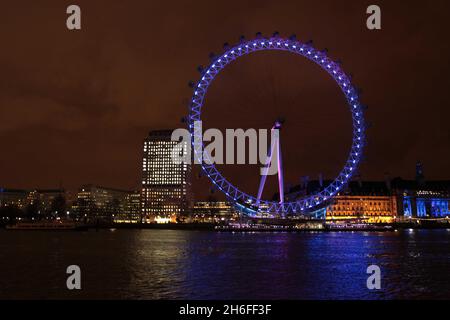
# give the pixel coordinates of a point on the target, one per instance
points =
(214, 211)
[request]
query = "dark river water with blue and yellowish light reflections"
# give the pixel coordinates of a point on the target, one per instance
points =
(165, 264)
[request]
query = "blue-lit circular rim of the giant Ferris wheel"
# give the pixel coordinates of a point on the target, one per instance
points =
(307, 203)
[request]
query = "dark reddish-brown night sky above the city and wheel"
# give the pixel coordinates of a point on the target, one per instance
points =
(75, 106)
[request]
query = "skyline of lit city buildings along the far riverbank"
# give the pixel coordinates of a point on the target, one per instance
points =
(168, 200)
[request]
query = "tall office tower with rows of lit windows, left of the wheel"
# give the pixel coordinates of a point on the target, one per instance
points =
(165, 183)
